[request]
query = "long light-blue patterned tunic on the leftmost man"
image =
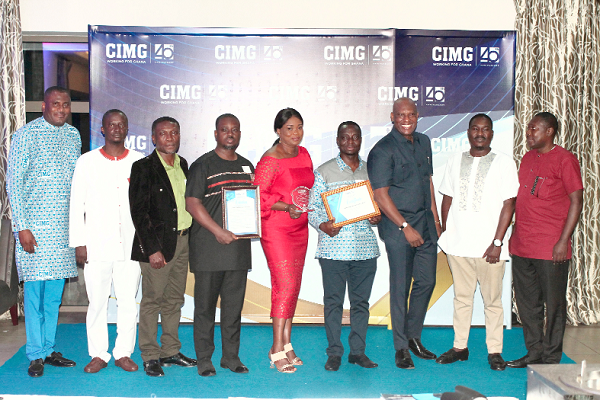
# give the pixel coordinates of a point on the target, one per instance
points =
(40, 168)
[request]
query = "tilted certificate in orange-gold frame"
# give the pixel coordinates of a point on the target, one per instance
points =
(350, 203)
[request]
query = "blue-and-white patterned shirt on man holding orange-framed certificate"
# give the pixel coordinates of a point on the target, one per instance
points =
(354, 241)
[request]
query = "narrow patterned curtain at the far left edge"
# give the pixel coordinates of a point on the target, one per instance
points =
(12, 87)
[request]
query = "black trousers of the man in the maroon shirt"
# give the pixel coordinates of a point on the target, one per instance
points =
(539, 282)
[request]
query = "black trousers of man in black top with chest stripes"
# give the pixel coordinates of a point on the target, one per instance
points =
(231, 286)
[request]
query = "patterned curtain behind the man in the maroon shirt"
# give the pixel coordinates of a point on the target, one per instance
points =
(558, 70)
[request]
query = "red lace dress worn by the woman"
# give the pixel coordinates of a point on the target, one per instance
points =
(284, 240)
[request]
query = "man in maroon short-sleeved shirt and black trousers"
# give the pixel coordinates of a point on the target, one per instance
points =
(548, 206)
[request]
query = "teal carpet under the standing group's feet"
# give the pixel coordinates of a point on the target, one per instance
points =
(310, 381)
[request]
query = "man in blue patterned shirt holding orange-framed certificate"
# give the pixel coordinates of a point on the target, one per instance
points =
(347, 254)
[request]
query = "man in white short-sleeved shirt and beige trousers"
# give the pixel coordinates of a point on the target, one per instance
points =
(479, 188)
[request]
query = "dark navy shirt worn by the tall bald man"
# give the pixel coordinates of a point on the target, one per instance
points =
(405, 167)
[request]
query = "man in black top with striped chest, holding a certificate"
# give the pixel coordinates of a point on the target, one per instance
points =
(219, 261)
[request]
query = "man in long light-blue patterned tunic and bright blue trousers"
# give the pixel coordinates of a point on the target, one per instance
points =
(40, 167)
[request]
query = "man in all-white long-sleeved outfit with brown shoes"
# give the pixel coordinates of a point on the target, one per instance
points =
(102, 232)
